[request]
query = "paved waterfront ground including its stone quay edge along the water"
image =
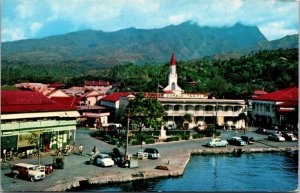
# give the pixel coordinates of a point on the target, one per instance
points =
(174, 156)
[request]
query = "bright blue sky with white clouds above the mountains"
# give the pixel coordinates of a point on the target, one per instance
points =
(24, 19)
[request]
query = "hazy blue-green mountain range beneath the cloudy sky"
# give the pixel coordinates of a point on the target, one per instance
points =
(188, 40)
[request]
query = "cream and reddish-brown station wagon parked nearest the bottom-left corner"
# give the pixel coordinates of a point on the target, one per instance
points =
(27, 171)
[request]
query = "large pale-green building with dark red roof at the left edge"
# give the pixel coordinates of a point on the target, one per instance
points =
(26, 114)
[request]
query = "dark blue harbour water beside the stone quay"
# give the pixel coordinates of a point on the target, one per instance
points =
(251, 172)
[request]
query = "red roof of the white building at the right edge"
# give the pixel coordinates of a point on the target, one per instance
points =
(288, 94)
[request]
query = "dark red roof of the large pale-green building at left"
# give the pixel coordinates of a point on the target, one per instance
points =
(17, 101)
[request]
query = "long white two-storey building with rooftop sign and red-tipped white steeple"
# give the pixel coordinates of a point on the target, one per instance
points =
(203, 110)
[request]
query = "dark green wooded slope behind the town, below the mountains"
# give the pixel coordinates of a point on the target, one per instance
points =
(232, 78)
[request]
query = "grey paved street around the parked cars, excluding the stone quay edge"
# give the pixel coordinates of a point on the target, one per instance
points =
(76, 167)
